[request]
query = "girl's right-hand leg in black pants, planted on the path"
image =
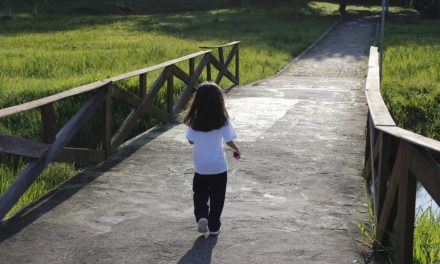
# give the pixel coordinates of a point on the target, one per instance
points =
(217, 193)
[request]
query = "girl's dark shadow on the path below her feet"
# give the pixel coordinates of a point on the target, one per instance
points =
(201, 251)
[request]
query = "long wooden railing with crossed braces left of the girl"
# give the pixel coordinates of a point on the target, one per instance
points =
(54, 146)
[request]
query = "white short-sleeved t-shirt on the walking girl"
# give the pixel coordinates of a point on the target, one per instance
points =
(208, 152)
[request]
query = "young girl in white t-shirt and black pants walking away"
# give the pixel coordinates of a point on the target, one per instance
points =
(208, 127)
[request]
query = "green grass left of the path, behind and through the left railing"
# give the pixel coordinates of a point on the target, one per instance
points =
(47, 54)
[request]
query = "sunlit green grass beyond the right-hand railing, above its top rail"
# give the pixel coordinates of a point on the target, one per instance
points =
(411, 74)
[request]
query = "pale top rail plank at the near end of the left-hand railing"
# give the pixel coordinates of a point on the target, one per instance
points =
(46, 100)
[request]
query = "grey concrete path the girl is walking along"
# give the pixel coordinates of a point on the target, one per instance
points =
(295, 196)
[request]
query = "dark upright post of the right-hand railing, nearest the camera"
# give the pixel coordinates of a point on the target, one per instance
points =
(405, 212)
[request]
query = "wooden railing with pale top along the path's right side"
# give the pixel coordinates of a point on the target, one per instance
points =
(395, 160)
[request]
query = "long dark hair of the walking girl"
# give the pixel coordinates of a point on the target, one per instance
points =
(207, 111)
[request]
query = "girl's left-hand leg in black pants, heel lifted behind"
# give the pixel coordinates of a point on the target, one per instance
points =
(200, 197)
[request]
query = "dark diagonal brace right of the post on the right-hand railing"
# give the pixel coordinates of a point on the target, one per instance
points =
(427, 171)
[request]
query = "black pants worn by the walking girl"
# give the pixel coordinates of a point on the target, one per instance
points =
(212, 188)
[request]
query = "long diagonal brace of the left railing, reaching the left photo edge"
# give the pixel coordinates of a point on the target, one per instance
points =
(28, 176)
